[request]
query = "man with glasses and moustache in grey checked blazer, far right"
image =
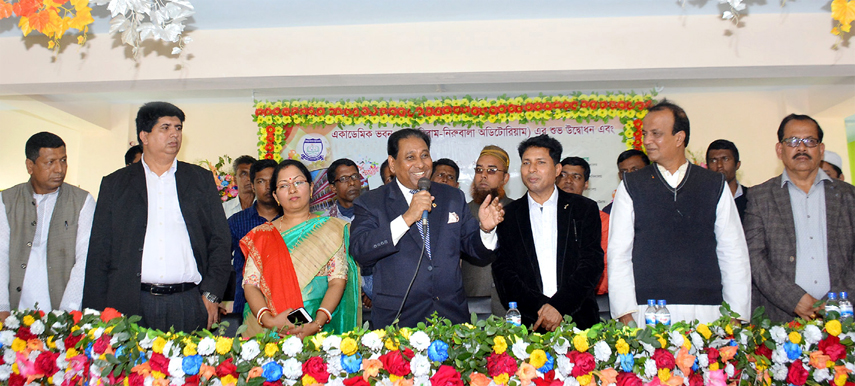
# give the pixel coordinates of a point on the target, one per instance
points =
(800, 228)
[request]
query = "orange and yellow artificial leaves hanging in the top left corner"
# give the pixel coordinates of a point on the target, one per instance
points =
(50, 17)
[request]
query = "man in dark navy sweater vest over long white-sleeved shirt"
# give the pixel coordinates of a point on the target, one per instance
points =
(675, 233)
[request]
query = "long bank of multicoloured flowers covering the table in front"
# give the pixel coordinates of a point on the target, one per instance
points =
(61, 348)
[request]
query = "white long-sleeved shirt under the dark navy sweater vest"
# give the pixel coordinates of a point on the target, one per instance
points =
(731, 249)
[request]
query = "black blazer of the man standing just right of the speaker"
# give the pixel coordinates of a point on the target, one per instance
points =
(579, 260)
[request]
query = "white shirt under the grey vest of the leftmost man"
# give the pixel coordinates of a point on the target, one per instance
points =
(35, 289)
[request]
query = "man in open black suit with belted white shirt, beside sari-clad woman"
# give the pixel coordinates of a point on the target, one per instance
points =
(160, 243)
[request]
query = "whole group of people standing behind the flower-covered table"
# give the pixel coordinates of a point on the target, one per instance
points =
(159, 243)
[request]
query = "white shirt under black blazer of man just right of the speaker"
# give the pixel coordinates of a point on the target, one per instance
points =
(544, 229)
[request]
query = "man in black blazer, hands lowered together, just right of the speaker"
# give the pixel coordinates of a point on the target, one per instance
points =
(549, 258)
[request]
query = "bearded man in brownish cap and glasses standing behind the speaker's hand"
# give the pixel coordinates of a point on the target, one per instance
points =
(491, 176)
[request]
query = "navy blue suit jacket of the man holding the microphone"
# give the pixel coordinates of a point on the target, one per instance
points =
(438, 287)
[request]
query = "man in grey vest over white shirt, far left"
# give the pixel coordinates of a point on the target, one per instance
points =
(44, 233)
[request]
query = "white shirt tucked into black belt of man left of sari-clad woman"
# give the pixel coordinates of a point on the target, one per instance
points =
(167, 253)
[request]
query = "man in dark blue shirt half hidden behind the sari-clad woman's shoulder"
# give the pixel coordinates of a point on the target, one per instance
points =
(264, 209)
